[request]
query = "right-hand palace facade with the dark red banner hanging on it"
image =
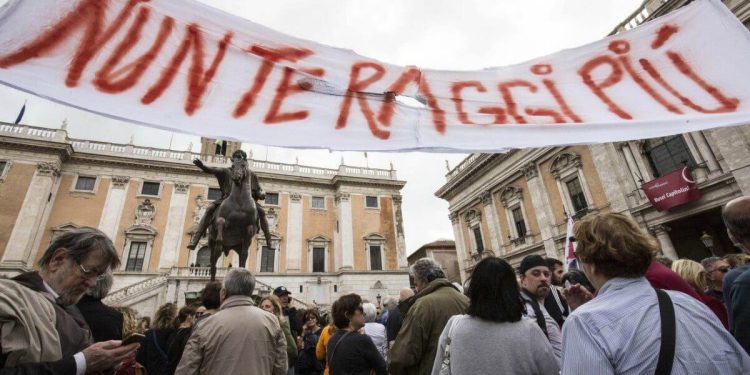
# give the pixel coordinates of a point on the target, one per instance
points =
(515, 204)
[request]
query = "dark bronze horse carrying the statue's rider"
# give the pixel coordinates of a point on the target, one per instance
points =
(236, 220)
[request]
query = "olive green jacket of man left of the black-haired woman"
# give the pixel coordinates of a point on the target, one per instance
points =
(415, 347)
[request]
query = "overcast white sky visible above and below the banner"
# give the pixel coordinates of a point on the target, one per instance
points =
(443, 34)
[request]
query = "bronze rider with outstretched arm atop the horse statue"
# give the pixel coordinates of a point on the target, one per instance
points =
(224, 176)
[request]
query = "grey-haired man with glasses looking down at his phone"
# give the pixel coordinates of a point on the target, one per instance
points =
(42, 330)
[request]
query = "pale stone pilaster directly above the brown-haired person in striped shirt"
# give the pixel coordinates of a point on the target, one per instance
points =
(615, 182)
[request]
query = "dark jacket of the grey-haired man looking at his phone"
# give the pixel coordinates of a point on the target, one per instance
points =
(71, 327)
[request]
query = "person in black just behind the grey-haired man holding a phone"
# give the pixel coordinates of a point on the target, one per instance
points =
(104, 321)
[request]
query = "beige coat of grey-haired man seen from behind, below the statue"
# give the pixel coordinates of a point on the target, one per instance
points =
(239, 339)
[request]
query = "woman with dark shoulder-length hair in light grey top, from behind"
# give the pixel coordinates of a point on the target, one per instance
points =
(493, 338)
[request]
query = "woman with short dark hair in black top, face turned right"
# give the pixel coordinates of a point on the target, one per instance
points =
(350, 352)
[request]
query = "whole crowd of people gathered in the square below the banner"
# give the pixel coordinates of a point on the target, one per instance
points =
(624, 311)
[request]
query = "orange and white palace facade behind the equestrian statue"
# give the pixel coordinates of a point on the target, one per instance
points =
(333, 230)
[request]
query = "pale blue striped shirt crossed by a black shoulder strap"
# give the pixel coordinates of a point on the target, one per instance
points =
(619, 332)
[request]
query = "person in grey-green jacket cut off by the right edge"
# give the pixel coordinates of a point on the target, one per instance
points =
(736, 215)
